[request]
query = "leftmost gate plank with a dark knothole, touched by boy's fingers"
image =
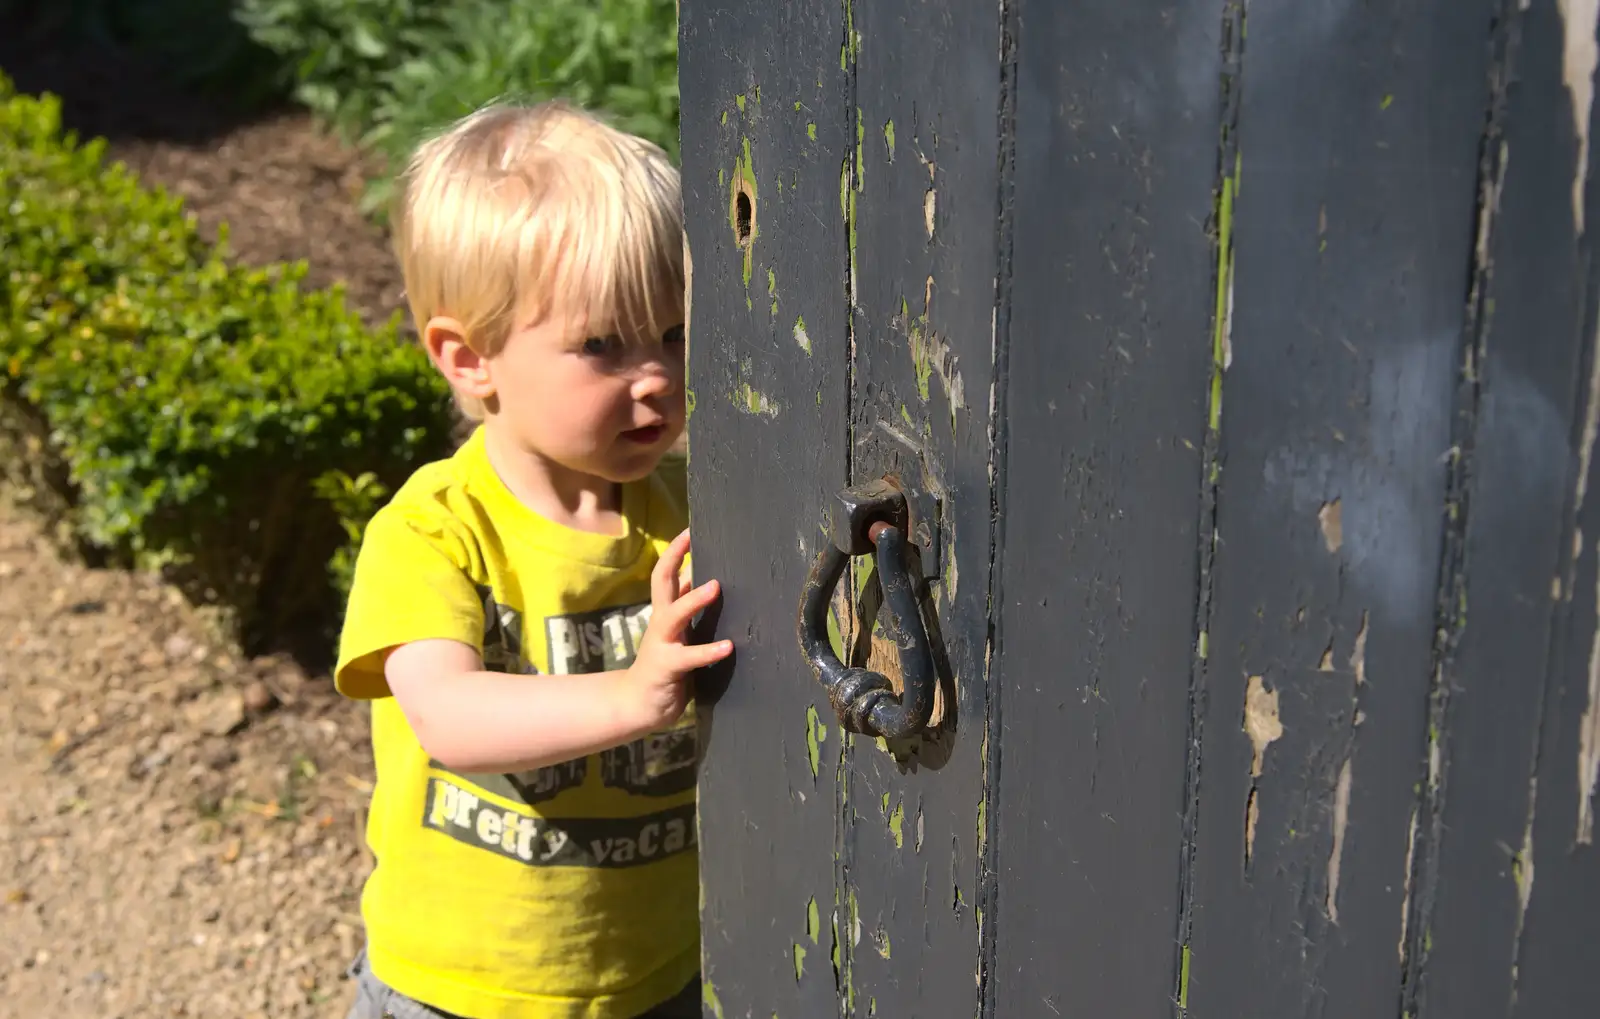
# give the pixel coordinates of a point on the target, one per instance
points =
(767, 450)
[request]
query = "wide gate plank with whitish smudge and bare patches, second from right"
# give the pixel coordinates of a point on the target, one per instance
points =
(1346, 233)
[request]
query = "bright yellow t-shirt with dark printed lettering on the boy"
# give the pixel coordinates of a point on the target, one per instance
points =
(562, 893)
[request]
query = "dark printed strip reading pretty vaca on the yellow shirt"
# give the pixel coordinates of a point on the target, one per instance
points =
(556, 842)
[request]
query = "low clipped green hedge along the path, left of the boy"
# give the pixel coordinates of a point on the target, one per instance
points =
(174, 410)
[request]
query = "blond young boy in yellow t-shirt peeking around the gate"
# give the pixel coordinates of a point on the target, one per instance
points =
(518, 615)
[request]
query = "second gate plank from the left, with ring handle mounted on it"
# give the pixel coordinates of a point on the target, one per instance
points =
(919, 196)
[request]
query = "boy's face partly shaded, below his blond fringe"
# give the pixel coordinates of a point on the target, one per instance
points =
(591, 399)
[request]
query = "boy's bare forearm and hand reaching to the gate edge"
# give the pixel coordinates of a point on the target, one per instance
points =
(476, 721)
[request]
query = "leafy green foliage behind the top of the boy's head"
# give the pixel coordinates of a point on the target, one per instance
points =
(391, 71)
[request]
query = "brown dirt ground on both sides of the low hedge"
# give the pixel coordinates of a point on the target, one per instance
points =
(182, 828)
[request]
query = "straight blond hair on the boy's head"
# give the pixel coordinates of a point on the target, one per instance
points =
(516, 210)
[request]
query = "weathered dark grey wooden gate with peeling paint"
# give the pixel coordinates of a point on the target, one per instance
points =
(1239, 364)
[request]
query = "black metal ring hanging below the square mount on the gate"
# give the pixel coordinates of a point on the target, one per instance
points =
(863, 700)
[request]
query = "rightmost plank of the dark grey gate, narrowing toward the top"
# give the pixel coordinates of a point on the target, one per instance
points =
(1511, 825)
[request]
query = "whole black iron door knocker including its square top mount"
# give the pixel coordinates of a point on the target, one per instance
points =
(871, 519)
